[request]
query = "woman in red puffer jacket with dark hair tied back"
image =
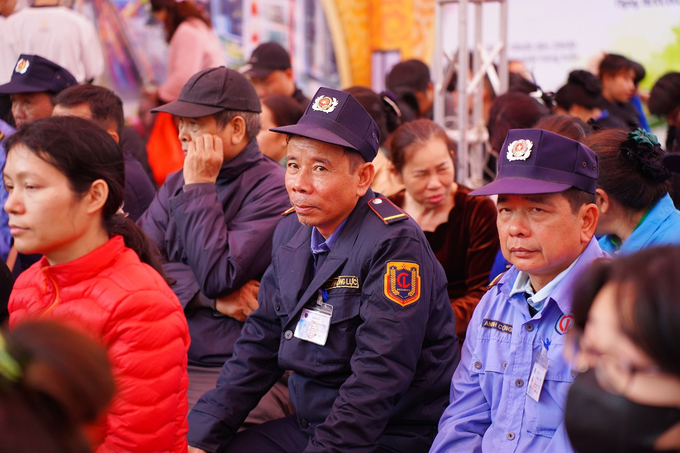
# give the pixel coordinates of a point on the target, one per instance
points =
(65, 178)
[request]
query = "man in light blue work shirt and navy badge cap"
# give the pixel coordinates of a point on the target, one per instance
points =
(509, 392)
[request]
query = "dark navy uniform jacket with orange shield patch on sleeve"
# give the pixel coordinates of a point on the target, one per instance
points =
(385, 365)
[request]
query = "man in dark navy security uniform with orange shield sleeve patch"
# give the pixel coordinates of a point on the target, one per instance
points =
(354, 303)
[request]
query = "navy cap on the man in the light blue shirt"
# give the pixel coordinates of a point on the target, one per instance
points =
(534, 161)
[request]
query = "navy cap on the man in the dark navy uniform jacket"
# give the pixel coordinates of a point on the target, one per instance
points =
(338, 118)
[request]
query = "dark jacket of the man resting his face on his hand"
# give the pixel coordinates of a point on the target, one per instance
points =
(215, 238)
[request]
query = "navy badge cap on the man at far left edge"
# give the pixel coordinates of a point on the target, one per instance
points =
(35, 74)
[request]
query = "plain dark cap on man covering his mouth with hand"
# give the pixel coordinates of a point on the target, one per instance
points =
(213, 90)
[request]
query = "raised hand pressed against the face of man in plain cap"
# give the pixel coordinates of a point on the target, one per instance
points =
(204, 159)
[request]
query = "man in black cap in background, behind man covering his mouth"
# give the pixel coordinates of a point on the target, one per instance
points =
(270, 72)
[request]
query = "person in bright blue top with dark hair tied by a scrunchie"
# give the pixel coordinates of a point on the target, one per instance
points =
(636, 210)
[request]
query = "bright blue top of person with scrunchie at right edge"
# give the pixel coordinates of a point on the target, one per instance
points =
(660, 227)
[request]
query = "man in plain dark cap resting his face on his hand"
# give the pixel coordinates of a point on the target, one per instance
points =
(214, 220)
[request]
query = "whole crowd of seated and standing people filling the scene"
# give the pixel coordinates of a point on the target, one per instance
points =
(260, 269)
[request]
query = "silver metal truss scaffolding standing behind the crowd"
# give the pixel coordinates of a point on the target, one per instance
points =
(467, 127)
